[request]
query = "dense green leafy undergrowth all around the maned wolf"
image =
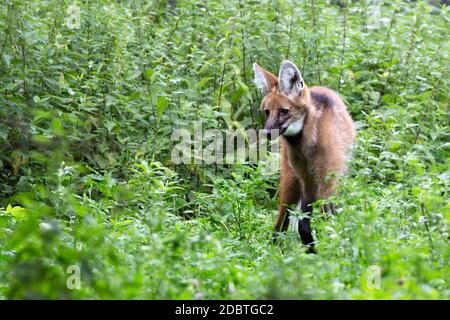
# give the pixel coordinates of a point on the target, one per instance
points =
(87, 108)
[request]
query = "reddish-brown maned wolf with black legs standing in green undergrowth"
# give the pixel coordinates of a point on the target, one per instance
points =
(316, 138)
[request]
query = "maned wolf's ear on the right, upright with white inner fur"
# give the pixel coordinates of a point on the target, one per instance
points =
(290, 80)
